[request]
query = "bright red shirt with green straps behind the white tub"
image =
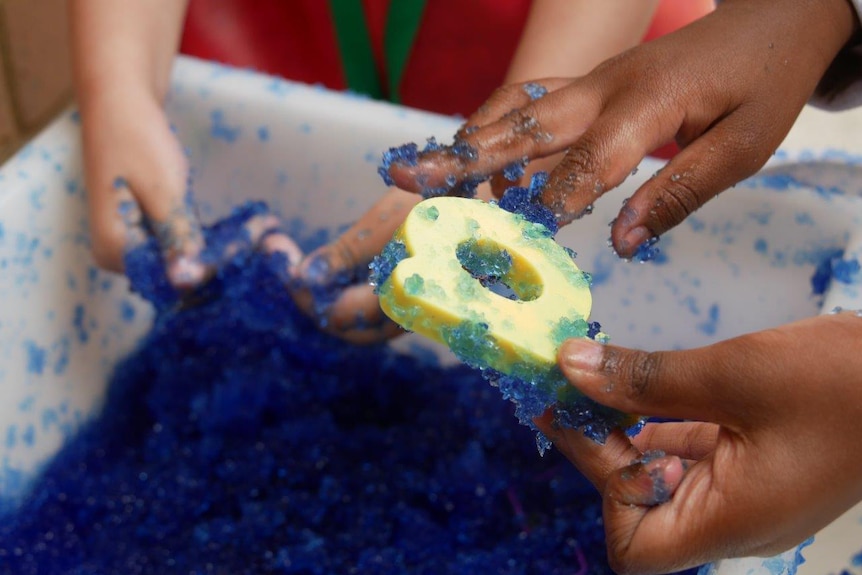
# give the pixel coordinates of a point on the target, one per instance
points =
(461, 52)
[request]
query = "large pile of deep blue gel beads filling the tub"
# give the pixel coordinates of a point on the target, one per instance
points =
(240, 439)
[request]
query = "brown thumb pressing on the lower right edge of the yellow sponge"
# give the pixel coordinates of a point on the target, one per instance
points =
(673, 384)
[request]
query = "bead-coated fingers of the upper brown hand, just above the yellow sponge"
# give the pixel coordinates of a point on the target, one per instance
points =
(540, 128)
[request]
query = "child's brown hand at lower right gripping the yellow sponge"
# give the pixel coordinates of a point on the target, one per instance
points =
(771, 453)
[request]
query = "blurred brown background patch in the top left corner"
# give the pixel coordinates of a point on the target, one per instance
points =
(35, 68)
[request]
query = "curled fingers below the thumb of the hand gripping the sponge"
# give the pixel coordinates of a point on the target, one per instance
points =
(660, 515)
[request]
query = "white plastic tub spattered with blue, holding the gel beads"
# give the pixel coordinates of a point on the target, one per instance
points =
(742, 263)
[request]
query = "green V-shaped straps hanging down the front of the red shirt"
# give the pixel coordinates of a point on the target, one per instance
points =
(354, 44)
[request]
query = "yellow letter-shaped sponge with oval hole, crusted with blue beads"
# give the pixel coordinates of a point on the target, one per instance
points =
(436, 278)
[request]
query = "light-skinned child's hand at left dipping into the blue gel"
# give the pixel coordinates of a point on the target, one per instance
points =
(132, 157)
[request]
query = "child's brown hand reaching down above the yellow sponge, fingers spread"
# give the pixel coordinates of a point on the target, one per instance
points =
(727, 87)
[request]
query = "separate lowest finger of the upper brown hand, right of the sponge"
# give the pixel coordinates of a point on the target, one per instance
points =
(727, 153)
